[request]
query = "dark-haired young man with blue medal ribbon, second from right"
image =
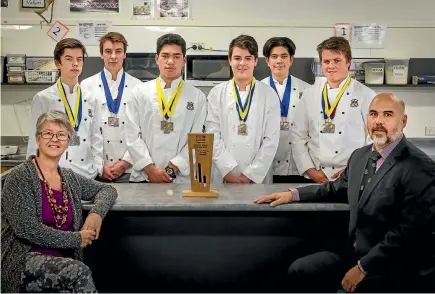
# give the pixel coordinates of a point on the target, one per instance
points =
(280, 53)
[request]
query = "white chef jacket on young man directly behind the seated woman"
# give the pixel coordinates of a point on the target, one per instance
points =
(85, 159)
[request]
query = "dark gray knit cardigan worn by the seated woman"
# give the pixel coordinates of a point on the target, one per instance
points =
(21, 216)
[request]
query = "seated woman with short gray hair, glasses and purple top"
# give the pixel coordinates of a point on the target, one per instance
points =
(42, 237)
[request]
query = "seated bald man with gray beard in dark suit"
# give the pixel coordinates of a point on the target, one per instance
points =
(390, 188)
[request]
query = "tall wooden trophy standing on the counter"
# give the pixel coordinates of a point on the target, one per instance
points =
(200, 160)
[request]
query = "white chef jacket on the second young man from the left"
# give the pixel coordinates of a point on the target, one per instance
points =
(114, 146)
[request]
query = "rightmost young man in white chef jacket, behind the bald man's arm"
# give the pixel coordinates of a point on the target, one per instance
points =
(330, 122)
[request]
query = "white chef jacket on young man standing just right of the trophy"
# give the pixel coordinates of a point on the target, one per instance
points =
(250, 154)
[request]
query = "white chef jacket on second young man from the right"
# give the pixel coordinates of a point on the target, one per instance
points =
(283, 163)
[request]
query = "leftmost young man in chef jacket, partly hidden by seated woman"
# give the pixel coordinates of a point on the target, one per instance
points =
(85, 152)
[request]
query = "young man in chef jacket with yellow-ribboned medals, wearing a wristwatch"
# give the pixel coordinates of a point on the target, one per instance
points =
(160, 116)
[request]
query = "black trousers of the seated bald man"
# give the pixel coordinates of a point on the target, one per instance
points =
(323, 272)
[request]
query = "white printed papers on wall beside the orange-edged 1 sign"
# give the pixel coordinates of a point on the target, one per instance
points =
(368, 36)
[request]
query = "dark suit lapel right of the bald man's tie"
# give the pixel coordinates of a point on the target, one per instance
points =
(381, 172)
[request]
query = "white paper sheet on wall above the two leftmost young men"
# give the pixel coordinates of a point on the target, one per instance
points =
(90, 32)
